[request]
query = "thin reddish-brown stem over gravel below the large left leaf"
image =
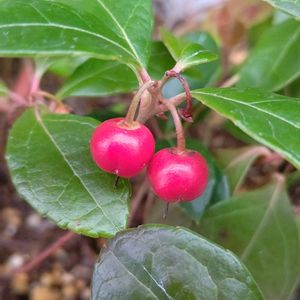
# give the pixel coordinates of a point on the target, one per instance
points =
(46, 253)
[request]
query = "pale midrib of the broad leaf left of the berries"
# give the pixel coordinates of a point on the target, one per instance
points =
(45, 129)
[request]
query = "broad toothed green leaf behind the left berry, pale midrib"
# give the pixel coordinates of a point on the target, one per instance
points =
(51, 166)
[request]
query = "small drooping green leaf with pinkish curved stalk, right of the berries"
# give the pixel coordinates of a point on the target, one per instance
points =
(237, 162)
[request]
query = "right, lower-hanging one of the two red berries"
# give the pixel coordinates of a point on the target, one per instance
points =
(178, 176)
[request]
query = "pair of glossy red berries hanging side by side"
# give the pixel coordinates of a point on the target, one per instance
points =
(125, 148)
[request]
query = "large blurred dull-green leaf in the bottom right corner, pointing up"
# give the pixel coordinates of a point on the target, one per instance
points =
(259, 227)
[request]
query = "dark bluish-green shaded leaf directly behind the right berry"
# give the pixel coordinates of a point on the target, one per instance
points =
(217, 188)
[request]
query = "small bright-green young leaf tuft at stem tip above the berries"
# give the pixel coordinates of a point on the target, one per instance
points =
(185, 53)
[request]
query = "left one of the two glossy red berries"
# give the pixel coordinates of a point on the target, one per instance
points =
(122, 149)
